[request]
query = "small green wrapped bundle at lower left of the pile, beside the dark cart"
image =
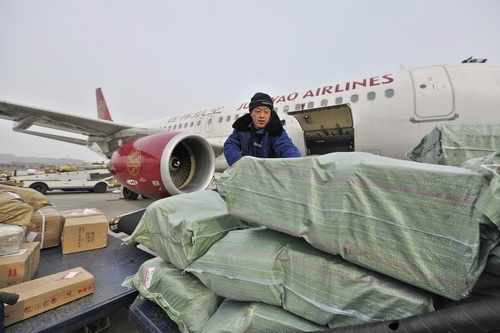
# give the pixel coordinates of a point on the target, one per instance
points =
(183, 297)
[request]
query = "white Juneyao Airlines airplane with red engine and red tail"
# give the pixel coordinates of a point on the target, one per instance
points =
(386, 114)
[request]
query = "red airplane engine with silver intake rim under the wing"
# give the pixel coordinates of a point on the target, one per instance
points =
(164, 164)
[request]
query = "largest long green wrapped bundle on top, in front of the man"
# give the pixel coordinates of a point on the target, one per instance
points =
(411, 221)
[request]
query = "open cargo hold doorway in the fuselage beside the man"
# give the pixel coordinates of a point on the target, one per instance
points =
(327, 129)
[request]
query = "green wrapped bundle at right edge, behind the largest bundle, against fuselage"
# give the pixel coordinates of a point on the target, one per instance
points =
(452, 144)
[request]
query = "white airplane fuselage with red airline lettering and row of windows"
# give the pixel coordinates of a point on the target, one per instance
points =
(390, 112)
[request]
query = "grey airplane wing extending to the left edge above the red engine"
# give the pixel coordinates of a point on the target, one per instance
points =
(26, 116)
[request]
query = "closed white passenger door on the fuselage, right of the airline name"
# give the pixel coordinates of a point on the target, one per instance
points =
(434, 95)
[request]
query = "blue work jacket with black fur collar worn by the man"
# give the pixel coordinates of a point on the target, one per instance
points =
(271, 141)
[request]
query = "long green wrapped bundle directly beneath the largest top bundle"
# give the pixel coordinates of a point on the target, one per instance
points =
(282, 270)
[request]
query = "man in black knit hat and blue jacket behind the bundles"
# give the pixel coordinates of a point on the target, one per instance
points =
(259, 133)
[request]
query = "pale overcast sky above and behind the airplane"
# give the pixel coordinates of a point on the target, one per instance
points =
(159, 58)
